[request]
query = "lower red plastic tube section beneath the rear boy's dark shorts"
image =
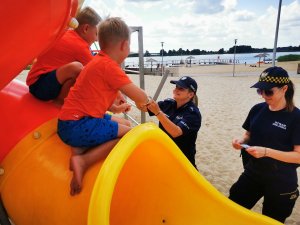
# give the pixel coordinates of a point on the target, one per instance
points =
(20, 114)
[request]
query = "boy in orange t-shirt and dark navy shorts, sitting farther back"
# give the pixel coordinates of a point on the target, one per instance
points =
(55, 71)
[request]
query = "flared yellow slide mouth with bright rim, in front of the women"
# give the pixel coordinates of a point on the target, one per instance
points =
(147, 180)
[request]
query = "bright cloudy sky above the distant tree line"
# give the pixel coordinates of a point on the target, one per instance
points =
(205, 24)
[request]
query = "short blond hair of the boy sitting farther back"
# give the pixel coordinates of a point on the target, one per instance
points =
(88, 16)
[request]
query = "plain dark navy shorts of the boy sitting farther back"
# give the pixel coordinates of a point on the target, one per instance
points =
(46, 87)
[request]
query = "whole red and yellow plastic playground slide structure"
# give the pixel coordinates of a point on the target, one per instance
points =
(144, 180)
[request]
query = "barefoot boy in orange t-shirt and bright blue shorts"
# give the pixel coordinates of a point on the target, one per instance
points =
(83, 123)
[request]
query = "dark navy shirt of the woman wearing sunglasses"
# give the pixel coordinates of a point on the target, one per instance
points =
(278, 130)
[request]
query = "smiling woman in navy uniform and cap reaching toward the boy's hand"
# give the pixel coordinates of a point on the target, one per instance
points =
(179, 117)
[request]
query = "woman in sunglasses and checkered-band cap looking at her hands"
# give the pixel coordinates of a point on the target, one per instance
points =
(273, 139)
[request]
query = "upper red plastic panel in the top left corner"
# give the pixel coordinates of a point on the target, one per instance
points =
(29, 28)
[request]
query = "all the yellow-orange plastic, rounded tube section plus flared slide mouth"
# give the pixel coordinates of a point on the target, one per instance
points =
(145, 180)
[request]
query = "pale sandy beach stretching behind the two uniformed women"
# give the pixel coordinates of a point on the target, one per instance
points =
(224, 102)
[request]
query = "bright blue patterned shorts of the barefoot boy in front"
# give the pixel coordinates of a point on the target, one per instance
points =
(88, 131)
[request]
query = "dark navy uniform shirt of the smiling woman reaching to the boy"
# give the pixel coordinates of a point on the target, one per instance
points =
(188, 118)
